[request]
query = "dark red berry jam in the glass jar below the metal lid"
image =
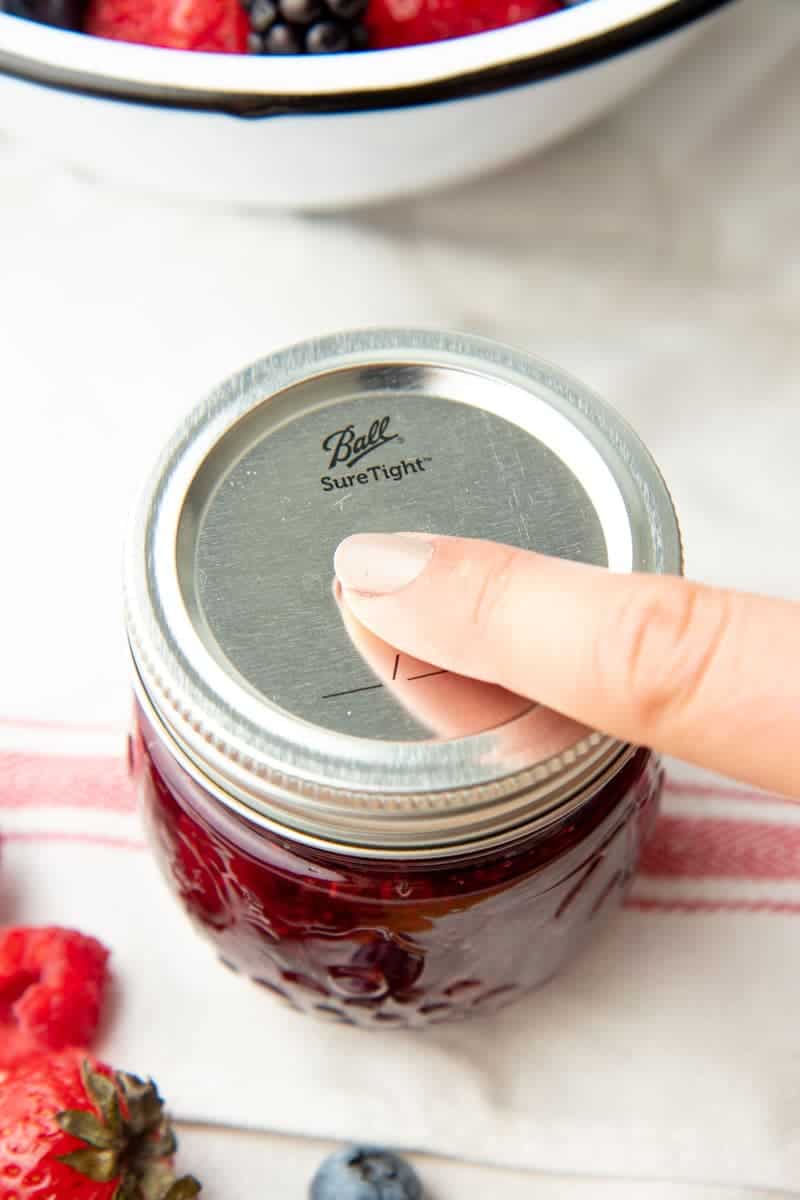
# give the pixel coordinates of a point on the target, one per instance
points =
(375, 943)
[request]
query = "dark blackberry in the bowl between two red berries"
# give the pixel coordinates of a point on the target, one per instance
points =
(305, 27)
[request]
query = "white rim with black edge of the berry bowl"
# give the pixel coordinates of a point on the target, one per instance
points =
(532, 51)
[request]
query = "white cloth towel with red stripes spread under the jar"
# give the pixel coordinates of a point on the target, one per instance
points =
(659, 259)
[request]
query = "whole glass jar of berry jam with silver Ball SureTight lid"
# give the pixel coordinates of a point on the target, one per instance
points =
(370, 838)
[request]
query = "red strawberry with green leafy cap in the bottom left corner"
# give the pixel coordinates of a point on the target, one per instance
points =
(74, 1130)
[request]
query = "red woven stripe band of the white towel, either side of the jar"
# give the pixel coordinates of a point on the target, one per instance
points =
(719, 848)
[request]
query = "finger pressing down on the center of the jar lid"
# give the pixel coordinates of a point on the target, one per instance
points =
(706, 675)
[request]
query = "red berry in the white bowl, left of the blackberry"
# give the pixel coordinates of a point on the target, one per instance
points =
(218, 26)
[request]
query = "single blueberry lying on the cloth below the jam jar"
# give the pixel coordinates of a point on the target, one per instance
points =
(365, 1173)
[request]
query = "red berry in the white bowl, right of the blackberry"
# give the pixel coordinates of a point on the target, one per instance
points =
(411, 22)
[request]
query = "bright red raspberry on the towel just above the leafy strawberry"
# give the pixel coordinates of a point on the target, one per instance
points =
(52, 985)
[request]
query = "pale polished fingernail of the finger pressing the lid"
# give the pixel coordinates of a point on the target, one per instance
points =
(381, 563)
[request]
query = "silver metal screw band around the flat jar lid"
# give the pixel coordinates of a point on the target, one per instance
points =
(368, 791)
